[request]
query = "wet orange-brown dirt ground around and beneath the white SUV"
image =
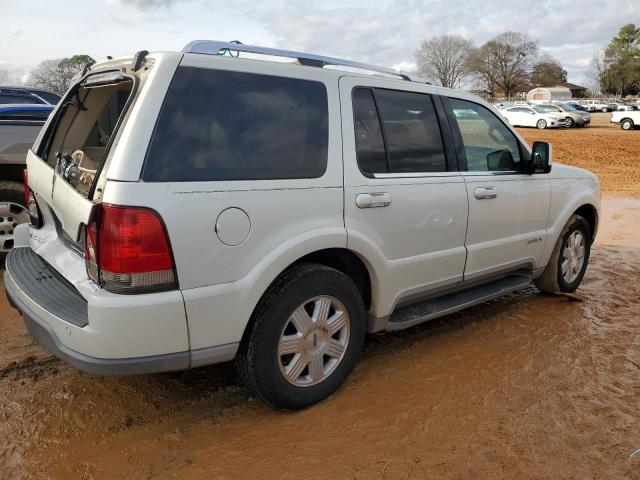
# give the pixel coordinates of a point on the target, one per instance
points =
(528, 386)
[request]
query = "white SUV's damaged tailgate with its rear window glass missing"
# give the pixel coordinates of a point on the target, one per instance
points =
(66, 168)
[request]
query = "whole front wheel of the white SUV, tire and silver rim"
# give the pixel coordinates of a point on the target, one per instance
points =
(569, 259)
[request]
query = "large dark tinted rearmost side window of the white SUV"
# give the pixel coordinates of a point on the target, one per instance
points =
(221, 125)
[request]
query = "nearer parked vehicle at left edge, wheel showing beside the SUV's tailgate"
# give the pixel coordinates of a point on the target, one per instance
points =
(19, 127)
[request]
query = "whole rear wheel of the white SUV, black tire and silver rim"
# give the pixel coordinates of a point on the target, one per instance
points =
(304, 337)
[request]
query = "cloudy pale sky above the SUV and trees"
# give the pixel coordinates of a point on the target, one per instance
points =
(382, 32)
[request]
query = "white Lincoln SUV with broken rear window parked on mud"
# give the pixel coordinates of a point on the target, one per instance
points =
(195, 207)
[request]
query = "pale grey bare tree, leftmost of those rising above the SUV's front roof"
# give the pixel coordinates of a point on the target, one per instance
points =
(443, 59)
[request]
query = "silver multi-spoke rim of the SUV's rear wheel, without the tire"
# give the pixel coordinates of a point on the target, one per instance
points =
(313, 341)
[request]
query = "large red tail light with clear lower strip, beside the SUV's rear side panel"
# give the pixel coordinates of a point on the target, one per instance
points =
(127, 250)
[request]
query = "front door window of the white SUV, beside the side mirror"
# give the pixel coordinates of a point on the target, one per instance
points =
(489, 145)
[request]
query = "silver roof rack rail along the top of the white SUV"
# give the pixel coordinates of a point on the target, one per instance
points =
(215, 47)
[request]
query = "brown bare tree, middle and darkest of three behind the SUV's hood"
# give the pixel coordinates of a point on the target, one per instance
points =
(504, 62)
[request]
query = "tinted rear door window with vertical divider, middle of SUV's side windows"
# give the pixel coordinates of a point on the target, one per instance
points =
(396, 132)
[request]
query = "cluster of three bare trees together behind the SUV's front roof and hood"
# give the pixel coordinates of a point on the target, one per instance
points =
(508, 63)
